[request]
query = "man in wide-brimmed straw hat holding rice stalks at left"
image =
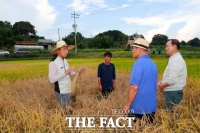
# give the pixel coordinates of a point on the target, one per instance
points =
(60, 72)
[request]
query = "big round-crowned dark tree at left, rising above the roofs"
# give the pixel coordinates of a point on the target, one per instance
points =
(24, 29)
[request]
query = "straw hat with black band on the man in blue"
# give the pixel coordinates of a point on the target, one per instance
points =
(141, 43)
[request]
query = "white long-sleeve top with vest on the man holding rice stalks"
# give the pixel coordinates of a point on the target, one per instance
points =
(57, 68)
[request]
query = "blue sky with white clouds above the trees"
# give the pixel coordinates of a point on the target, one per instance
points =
(177, 19)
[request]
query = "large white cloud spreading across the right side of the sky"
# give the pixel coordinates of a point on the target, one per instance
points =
(162, 22)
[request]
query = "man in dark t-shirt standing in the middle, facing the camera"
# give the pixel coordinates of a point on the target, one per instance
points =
(106, 75)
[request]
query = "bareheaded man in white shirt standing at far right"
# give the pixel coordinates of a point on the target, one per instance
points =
(174, 78)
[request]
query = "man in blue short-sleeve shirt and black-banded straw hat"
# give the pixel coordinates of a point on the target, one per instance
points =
(143, 84)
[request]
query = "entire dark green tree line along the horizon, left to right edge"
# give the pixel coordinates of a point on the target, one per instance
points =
(25, 31)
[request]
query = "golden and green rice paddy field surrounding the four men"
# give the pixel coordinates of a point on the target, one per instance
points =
(28, 103)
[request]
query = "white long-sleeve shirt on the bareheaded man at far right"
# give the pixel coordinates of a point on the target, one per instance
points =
(175, 73)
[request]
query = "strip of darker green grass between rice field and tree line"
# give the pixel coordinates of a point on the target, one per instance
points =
(186, 51)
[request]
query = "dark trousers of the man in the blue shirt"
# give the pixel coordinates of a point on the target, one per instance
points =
(147, 117)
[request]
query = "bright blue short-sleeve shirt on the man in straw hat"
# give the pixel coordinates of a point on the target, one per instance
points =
(144, 75)
